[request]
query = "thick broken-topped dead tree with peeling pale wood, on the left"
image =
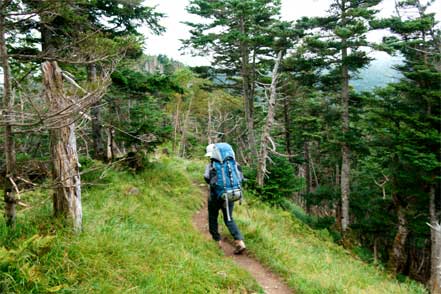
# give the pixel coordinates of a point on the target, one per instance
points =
(63, 113)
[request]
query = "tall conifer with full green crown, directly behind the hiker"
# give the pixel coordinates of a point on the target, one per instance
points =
(237, 33)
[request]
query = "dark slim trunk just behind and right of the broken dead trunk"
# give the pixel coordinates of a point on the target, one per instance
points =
(97, 133)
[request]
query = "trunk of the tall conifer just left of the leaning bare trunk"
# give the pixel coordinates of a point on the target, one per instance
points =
(247, 94)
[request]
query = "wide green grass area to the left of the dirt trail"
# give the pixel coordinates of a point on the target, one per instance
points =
(138, 237)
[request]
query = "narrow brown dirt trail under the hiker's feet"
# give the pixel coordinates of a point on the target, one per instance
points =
(266, 279)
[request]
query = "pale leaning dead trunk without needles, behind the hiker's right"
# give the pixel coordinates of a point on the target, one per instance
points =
(266, 139)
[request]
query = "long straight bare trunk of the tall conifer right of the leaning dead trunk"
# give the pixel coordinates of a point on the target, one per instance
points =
(345, 150)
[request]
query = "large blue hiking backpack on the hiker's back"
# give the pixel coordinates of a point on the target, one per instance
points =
(228, 178)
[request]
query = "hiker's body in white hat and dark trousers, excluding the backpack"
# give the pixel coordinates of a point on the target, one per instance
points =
(216, 203)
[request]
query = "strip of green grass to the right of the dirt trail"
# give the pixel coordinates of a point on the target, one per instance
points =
(308, 260)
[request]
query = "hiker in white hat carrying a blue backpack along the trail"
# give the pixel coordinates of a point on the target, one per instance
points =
(216, 202)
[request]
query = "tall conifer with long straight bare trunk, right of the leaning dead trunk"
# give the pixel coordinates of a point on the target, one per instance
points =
(341, 36)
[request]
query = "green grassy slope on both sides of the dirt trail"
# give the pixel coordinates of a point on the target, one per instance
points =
(146, 243)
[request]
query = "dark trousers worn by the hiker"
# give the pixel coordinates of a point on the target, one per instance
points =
(214, 205)
